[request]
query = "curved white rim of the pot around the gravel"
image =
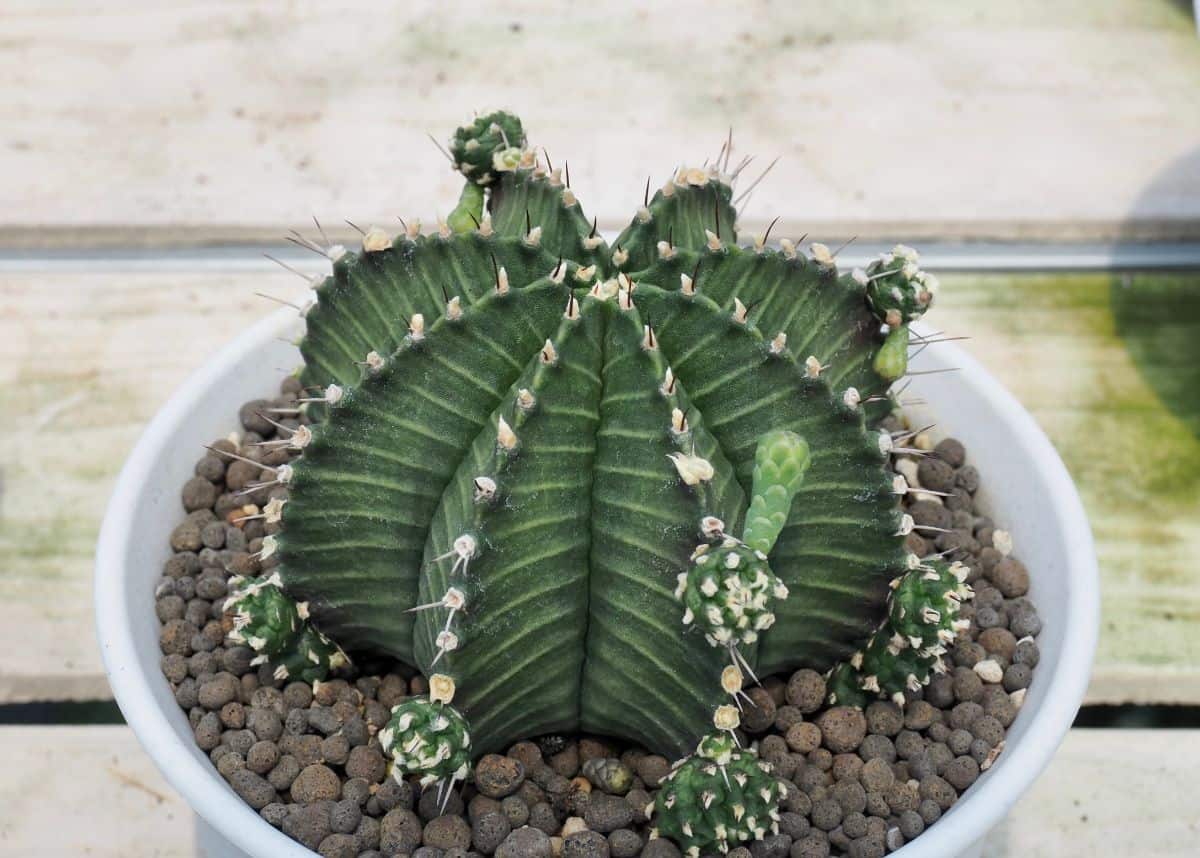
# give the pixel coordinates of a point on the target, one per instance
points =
(212, 799)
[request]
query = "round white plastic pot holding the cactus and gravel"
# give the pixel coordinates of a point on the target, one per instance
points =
(1025, 489)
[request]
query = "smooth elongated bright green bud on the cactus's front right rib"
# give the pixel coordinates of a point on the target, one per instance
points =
(781, 463)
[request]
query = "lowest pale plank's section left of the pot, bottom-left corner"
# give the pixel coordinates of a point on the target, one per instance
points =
(87, 791)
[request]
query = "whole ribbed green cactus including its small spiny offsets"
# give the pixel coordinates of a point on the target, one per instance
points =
(601, 487)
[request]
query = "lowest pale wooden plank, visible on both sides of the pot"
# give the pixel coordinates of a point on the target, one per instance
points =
(1108, 793)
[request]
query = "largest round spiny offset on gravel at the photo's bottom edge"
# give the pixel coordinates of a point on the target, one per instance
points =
(717, 799)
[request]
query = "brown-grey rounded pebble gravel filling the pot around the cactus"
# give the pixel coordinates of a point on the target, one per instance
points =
(305, 757)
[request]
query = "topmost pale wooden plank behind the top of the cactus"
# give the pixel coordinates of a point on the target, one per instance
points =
(158, 123)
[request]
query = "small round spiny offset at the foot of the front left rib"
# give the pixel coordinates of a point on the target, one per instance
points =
(428, 740)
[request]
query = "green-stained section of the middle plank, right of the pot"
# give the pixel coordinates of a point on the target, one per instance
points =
(1131, 443)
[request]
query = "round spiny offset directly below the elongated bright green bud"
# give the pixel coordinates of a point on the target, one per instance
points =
(729, 592)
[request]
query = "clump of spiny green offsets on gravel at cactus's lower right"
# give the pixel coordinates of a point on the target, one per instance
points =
(908, 649)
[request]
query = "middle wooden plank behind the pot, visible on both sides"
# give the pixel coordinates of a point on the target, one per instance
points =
(86, 361)
